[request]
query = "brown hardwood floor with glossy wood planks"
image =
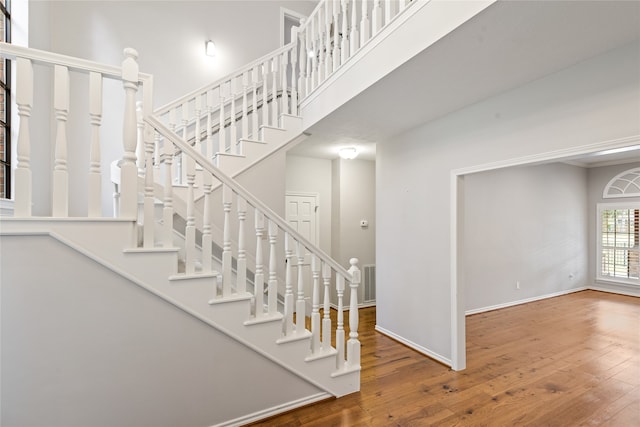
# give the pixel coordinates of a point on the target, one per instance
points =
(572, 360)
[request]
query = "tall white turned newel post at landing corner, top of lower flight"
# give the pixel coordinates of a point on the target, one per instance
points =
(129, 172)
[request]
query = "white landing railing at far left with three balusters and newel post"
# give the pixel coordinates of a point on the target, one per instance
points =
(63, 67)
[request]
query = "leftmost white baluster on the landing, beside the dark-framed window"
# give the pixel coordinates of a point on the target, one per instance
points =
(24, 99)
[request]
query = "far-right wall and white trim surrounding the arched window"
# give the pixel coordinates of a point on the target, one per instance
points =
(598, 178)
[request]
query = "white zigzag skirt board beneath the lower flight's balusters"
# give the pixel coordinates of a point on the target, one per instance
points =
(102, 240)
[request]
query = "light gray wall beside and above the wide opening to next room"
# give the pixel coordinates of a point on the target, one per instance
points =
(593, 101)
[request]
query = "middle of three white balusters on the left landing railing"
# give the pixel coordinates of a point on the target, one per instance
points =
(60, 171)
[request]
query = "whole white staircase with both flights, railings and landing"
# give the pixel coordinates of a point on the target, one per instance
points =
(235, 264)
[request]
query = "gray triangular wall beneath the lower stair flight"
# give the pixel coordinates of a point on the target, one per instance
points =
(82, 346)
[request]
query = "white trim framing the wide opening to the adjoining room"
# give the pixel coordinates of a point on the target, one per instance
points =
(457, 233)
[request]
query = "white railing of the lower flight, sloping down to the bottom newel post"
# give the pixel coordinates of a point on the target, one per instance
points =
(290, 247)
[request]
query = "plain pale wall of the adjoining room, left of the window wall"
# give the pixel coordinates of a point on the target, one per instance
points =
(526, 225)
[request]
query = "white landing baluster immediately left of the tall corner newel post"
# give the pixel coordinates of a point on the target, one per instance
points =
(95, 175)
